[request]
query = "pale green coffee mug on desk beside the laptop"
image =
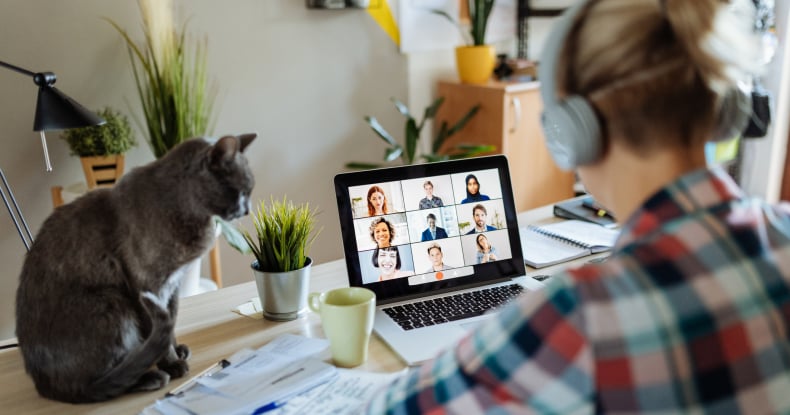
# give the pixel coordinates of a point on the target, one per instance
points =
(347, 318)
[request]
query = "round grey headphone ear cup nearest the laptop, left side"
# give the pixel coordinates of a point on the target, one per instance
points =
(573, 133)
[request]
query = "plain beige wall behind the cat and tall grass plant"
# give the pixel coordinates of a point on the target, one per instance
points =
(302, 79)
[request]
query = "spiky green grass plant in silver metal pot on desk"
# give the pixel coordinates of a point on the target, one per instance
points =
(284, 233)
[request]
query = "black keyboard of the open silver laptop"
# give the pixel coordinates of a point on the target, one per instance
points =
(454, 307)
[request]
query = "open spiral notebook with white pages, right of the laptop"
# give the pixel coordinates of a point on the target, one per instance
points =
(558, 242)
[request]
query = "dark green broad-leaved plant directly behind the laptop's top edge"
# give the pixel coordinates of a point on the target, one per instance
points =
(413, 128)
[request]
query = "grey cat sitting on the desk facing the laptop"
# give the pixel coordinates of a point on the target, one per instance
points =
(98, 292)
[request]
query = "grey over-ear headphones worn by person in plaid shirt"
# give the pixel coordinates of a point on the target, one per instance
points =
(571, 127)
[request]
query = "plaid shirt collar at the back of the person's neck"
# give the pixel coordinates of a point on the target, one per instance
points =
(698, 190)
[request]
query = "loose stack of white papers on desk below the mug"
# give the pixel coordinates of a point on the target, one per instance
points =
(282, 377)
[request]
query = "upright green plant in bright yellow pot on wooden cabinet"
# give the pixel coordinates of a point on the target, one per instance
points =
(475, 61)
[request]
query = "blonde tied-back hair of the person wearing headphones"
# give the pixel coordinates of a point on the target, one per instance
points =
(657, 70)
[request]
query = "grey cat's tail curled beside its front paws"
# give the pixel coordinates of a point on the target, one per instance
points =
(134, 365)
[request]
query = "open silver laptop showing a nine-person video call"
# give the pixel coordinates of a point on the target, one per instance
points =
(417, 238)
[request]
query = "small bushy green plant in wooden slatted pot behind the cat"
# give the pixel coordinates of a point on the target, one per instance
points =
(101, 148)
